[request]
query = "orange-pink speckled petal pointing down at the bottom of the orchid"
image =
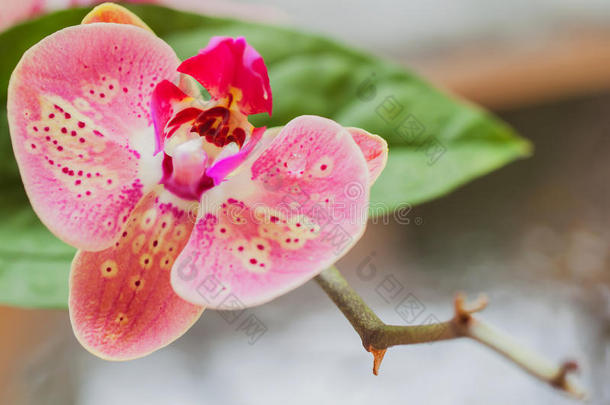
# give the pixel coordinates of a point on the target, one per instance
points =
(122, 305)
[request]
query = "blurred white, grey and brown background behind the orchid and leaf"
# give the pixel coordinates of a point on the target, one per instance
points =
(534, 236)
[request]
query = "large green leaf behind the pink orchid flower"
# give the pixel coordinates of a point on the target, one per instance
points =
(436, 142)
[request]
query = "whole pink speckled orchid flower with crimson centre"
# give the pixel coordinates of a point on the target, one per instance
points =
(174, 202)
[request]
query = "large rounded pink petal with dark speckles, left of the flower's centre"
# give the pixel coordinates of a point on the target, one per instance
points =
(82, 133)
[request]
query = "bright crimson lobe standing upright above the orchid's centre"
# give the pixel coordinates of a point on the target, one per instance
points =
(230, 67)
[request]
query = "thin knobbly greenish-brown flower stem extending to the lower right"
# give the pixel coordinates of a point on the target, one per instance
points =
(377, 337)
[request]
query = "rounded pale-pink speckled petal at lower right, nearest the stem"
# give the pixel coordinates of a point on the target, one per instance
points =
(290, 212)
